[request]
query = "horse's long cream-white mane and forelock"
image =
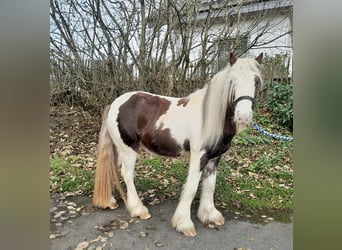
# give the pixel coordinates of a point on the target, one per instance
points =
(220, 95)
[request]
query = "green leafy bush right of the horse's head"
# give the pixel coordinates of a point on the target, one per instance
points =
(280, 102)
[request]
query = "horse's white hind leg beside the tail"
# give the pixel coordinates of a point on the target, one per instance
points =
(134, 204)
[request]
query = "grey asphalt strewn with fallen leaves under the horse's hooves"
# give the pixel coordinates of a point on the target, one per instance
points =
(74, 223)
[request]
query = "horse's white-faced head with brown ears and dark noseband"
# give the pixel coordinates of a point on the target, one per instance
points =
(246, 79)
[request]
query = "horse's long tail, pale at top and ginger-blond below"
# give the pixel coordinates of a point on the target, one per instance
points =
(106, 168)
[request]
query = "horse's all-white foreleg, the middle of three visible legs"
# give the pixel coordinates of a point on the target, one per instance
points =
(181, 219)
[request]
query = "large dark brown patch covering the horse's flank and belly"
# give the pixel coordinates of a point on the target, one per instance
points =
(137, 124)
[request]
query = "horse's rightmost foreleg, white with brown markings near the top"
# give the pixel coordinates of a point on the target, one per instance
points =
(207, 213)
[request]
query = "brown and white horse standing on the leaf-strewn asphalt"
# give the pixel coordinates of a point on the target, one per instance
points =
(202, 123)
